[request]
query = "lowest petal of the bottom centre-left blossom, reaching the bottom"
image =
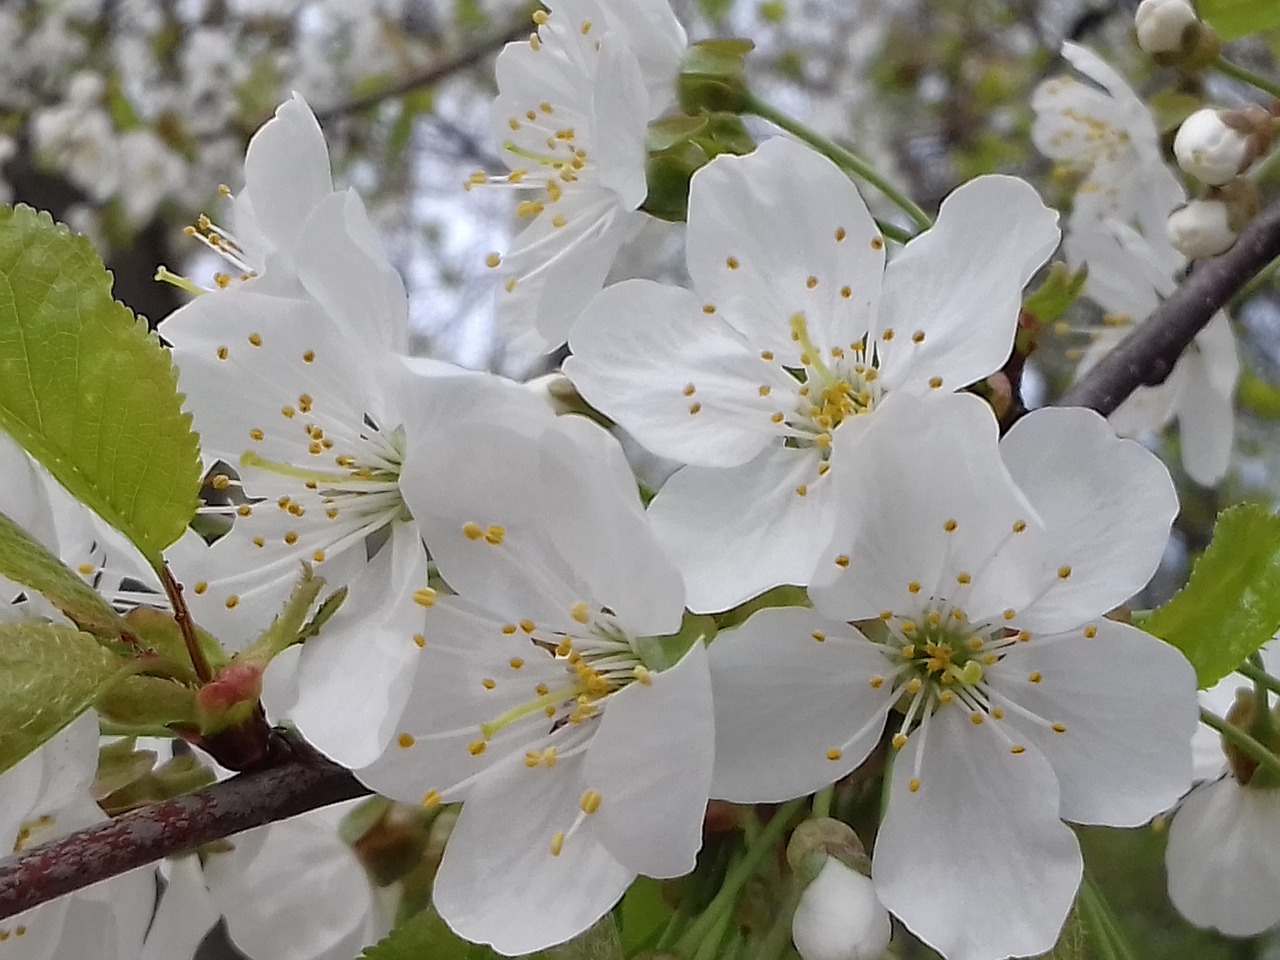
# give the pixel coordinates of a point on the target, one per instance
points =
(500, 883)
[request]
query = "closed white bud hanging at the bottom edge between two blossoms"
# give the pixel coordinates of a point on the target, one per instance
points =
(840, 918)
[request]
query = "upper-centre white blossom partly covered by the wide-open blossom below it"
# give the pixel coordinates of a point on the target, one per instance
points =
(796, 328)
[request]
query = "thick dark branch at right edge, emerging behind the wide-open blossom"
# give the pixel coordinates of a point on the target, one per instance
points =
(1146, 356)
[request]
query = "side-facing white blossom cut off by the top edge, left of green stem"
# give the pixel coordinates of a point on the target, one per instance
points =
(572, 117)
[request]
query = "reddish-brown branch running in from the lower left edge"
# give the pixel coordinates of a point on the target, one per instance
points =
(298, 780)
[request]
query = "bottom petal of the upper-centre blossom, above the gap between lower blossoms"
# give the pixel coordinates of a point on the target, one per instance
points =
(739, 532)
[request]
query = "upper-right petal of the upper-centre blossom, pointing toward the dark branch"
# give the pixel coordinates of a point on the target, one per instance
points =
(962, 284)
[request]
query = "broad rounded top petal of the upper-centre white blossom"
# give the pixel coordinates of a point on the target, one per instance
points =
(799, 235)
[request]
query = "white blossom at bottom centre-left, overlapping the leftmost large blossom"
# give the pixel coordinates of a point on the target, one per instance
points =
(579, 743)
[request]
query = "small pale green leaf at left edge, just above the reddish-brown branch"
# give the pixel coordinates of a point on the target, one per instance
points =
(49, 676)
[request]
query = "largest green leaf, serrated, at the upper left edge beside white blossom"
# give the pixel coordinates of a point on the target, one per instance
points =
(86, 390)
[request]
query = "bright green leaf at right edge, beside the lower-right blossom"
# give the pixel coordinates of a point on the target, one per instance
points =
(1231, 606)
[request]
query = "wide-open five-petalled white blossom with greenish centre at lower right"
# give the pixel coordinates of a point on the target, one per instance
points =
(981, 574)
